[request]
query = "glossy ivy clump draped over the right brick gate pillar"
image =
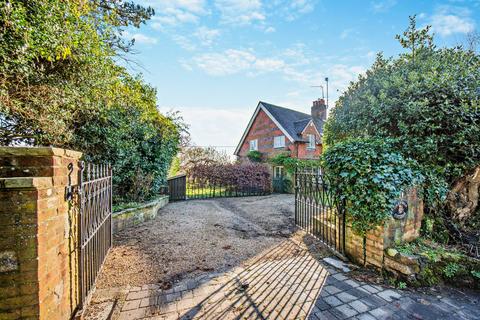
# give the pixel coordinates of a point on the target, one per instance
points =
(369, 175)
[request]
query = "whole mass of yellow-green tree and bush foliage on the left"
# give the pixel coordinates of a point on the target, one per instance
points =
(61, 85)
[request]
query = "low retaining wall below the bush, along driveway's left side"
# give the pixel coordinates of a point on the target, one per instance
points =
(134, 216)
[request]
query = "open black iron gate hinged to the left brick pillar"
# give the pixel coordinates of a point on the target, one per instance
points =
(95, 224)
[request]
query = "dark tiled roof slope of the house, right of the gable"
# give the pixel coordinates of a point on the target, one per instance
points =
(292, 121)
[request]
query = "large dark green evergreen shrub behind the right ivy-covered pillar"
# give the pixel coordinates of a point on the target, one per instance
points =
(426, 102)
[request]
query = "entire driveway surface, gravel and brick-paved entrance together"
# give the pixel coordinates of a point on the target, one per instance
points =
(241, 258)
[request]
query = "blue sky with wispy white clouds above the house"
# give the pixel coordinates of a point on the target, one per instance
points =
(213, 60)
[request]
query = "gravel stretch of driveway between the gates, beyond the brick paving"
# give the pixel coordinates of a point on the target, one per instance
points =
(192, 237)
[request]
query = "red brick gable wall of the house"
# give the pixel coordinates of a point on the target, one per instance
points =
(264, 129)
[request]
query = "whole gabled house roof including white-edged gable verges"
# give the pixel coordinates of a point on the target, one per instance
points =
(290, 122)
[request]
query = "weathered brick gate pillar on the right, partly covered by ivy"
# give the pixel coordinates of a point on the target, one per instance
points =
(392, 232)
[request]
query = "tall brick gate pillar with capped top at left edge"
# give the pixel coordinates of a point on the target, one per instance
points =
(37, 233)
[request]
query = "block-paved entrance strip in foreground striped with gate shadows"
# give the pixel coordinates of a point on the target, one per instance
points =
(287, 283)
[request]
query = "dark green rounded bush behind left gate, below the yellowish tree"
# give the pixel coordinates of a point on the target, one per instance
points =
(139, 149)
